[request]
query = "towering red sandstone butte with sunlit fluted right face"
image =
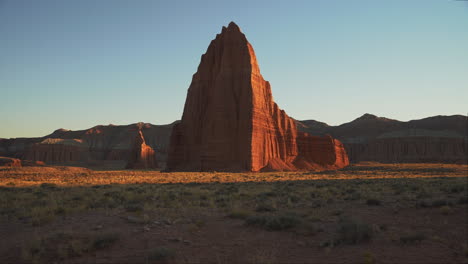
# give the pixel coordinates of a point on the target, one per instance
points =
(231, 123)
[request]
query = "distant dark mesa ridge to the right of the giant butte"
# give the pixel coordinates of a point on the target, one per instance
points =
(441, 139)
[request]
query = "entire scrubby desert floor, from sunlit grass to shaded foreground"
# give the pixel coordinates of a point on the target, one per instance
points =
(366, 213)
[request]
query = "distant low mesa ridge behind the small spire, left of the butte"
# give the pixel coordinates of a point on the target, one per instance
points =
(101, 146)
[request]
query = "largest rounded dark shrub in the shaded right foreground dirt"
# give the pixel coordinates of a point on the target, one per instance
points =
(350, 231)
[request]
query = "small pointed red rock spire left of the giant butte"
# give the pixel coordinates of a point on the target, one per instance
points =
(142, 156)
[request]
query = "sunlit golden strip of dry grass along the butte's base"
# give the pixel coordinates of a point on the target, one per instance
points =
(75, 176)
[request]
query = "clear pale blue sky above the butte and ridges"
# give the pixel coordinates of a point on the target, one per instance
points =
(76, 64)
